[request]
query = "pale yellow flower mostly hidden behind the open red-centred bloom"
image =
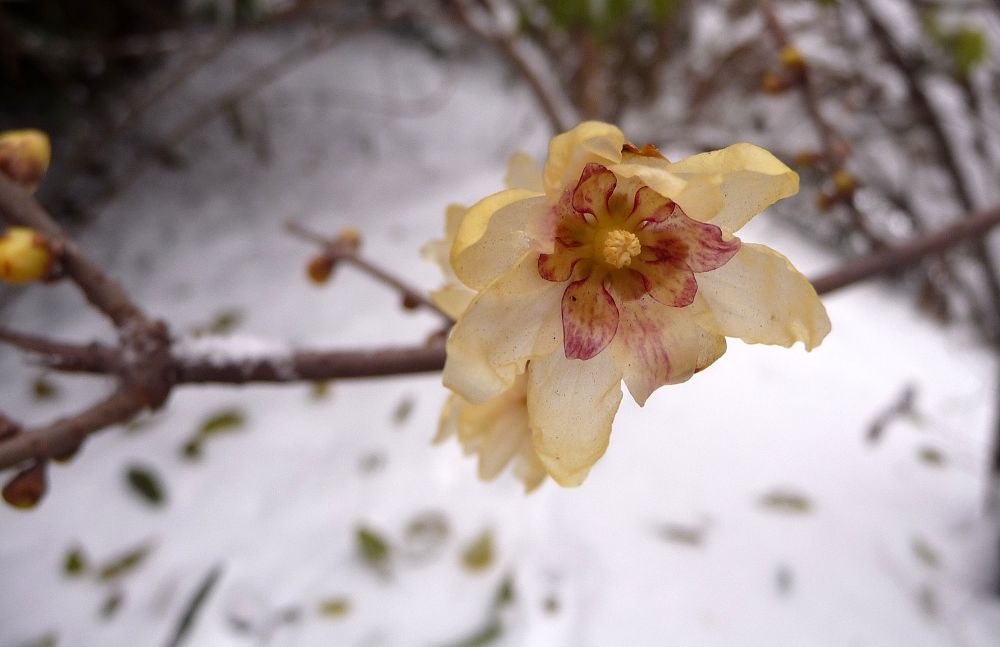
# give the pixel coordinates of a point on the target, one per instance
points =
(498, 431)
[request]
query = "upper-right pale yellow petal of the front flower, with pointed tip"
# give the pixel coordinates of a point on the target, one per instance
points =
(728, 187)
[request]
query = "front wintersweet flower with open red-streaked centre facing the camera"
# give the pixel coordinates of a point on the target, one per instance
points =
(615, 264)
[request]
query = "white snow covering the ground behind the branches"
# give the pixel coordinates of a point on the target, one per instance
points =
(742, 508)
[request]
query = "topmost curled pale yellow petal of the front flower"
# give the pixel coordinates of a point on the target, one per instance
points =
(591, 141)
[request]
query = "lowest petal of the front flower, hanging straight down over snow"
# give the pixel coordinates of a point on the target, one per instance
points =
(571, 404)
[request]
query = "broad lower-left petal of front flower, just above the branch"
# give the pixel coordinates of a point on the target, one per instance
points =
(516, 318)
